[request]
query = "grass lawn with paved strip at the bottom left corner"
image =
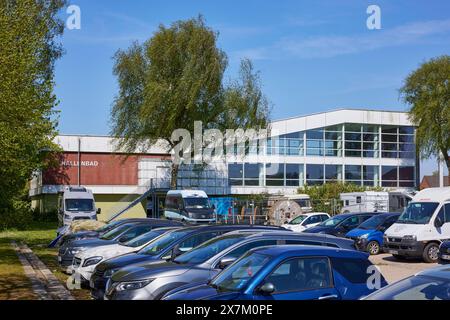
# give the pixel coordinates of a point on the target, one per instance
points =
(13, 282)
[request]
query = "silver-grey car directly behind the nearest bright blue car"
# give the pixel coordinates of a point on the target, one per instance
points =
(152, 280)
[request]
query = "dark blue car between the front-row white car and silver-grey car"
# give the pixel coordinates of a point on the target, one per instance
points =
(166, 247)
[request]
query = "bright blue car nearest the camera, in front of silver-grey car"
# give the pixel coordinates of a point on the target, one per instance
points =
(290, 272)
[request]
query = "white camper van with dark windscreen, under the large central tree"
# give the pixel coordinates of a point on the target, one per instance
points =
(190, 206)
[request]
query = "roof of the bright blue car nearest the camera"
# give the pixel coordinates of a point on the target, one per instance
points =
(308, 250)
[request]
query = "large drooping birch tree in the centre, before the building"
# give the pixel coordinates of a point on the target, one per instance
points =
(176, 78)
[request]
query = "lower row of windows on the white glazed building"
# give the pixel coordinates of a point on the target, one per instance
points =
(314, 174)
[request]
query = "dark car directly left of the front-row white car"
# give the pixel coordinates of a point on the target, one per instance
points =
(121, 233)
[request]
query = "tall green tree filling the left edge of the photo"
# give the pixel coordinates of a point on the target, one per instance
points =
(28, 31)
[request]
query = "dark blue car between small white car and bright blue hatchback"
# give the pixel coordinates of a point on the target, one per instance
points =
(341, 224)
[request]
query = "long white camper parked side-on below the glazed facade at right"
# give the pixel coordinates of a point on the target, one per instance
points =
(373, 201)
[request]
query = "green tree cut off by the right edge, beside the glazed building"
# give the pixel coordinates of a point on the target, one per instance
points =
(427, 91)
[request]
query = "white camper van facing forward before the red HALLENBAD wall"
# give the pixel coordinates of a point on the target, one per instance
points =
(76, 203)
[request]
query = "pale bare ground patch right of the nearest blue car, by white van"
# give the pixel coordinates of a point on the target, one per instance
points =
(394, 270)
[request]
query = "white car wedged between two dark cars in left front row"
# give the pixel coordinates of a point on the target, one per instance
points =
(85, 261)
